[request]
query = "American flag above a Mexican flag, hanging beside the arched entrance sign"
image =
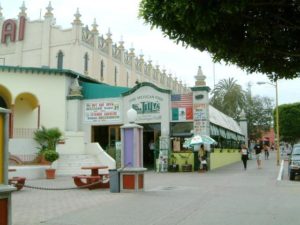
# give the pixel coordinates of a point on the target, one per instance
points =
(182, 107)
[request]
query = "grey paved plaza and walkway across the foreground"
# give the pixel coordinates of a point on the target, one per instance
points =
(224, 196)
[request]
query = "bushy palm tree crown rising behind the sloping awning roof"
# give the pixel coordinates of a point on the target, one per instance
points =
(228, 97)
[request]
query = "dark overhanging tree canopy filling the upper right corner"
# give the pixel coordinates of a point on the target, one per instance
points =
(258, 36)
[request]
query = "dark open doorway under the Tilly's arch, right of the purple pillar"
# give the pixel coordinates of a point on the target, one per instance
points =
(151, 136)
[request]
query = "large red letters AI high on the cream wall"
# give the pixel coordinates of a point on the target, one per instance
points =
(9, 29)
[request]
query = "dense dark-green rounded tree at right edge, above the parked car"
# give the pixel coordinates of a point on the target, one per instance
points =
(289, 122)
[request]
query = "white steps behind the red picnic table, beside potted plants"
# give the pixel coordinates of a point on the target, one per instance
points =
(70, 164)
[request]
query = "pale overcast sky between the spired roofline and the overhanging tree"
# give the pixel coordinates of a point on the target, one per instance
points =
(121, 17)
